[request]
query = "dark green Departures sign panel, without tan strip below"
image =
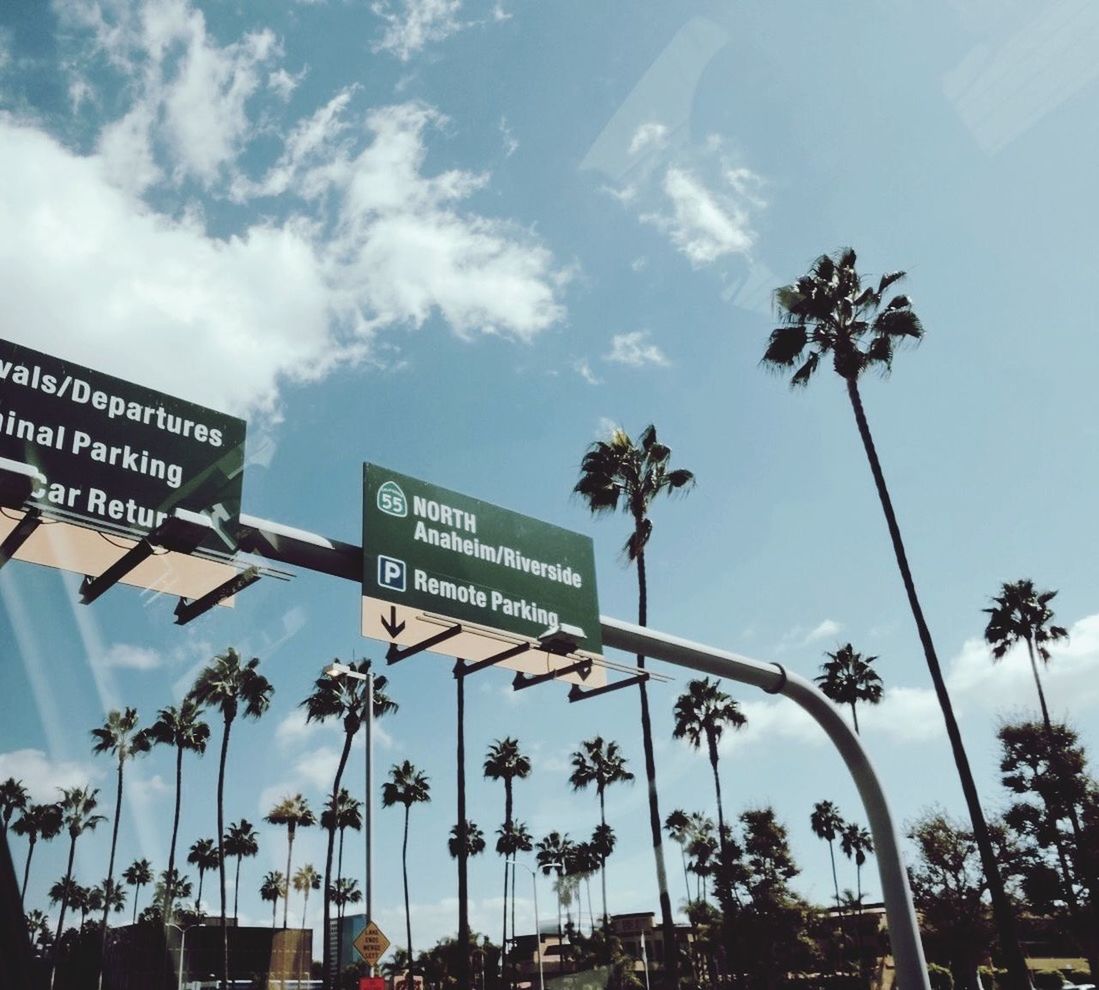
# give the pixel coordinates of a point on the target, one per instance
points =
(117, 457)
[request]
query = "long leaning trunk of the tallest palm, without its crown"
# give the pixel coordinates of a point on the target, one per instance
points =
(1016, 963)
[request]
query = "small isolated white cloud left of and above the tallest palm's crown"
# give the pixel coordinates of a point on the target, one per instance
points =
(704, 225)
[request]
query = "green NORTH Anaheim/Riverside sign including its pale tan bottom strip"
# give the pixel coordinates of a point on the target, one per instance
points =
(451, 574)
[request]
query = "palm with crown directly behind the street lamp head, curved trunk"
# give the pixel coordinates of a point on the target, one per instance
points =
(343, 698)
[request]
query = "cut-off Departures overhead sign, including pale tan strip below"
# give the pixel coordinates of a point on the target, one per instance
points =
(112, 463)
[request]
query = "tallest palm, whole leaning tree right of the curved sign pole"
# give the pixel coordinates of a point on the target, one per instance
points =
(829, 314)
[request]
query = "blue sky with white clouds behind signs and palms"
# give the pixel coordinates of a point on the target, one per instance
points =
(463, 239)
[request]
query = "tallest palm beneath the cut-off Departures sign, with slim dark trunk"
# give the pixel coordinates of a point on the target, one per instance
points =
(230, 686)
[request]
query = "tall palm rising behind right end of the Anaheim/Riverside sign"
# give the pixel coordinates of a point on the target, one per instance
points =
(618, 474)
